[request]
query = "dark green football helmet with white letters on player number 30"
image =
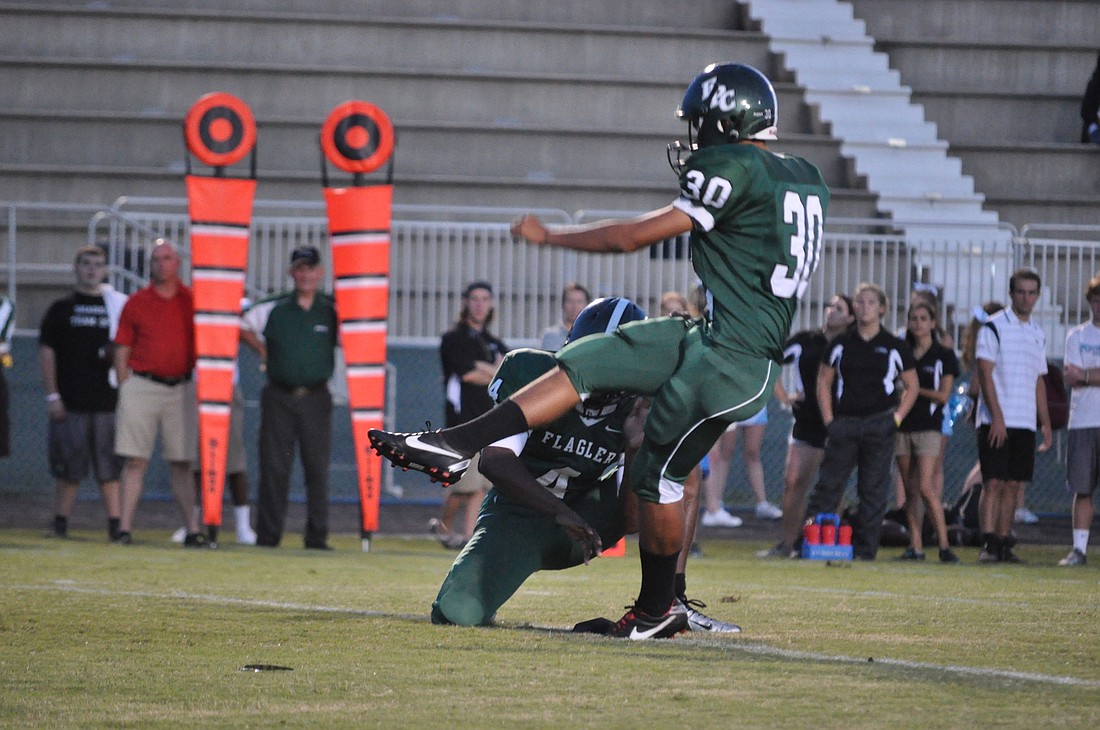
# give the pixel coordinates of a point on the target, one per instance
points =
(724, 105)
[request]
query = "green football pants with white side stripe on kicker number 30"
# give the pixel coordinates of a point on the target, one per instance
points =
(698, 389)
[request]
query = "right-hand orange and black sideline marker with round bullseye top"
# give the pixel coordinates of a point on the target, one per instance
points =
(358, 138)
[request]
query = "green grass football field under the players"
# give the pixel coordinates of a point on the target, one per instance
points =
(155, 636)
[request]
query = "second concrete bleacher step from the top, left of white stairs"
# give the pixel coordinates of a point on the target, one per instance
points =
(369, 43)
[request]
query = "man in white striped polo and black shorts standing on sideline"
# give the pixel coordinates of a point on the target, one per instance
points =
(1011, 358)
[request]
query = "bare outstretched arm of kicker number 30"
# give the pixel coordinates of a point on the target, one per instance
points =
(609, 236)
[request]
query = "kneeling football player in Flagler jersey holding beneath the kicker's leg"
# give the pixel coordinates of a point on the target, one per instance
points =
(556, 496)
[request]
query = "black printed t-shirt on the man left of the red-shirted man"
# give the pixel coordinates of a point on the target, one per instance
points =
(76, 329)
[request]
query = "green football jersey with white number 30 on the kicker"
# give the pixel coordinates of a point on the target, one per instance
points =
(757, 239)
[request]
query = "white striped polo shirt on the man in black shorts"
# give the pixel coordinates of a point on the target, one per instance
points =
(1018, 351)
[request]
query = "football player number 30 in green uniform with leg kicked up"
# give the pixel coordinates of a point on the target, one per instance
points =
(756, 222)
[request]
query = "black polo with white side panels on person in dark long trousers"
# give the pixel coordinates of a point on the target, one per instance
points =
(867, 372)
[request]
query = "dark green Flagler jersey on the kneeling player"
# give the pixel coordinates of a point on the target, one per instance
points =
(579, 449)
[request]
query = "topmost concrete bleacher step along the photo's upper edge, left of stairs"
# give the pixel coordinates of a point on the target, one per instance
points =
(667, 14)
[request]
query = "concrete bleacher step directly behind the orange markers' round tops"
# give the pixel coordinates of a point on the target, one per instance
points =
(424, 148)
